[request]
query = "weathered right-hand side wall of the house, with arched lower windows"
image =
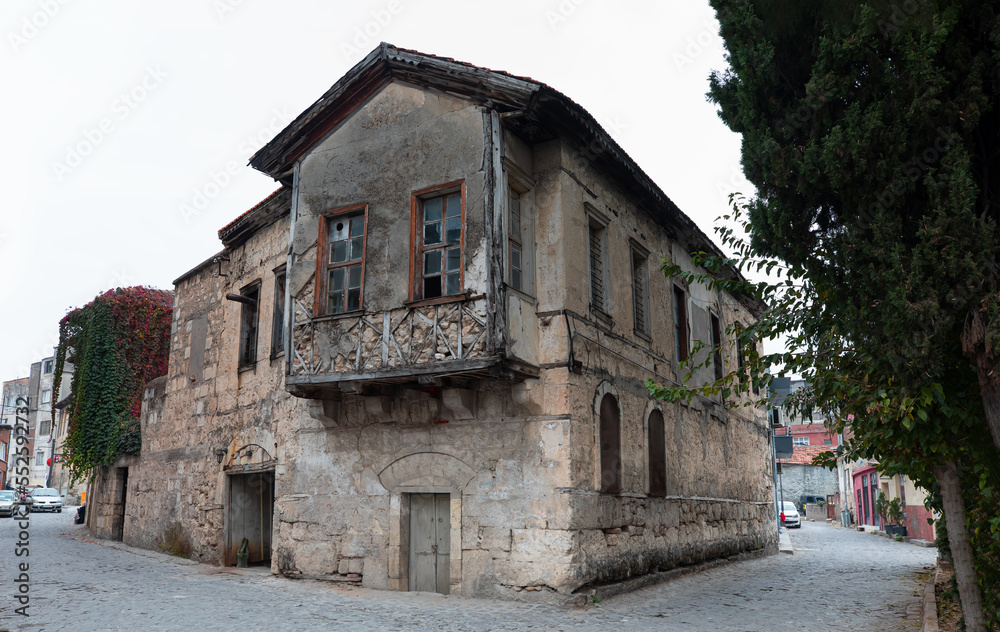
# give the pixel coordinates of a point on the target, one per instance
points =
(719, 489)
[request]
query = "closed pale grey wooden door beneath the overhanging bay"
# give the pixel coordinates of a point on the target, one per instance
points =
(430, 542)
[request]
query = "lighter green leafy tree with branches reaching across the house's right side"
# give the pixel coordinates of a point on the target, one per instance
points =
(924, 434)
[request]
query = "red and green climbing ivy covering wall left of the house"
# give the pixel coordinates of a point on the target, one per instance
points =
(116, 343)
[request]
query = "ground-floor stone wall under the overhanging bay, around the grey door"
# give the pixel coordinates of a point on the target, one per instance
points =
(503, 468)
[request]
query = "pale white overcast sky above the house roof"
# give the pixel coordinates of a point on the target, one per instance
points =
(128, 125)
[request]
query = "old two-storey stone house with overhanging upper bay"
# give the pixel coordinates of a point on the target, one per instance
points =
(421, 364)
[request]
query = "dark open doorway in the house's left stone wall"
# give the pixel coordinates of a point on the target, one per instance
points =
(251, 507)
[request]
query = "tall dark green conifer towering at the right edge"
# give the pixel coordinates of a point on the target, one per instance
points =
(871, 132)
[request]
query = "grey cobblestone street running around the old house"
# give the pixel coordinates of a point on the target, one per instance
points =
(838, 579)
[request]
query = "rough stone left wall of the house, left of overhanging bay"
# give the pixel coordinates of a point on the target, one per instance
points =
(177, 496)
